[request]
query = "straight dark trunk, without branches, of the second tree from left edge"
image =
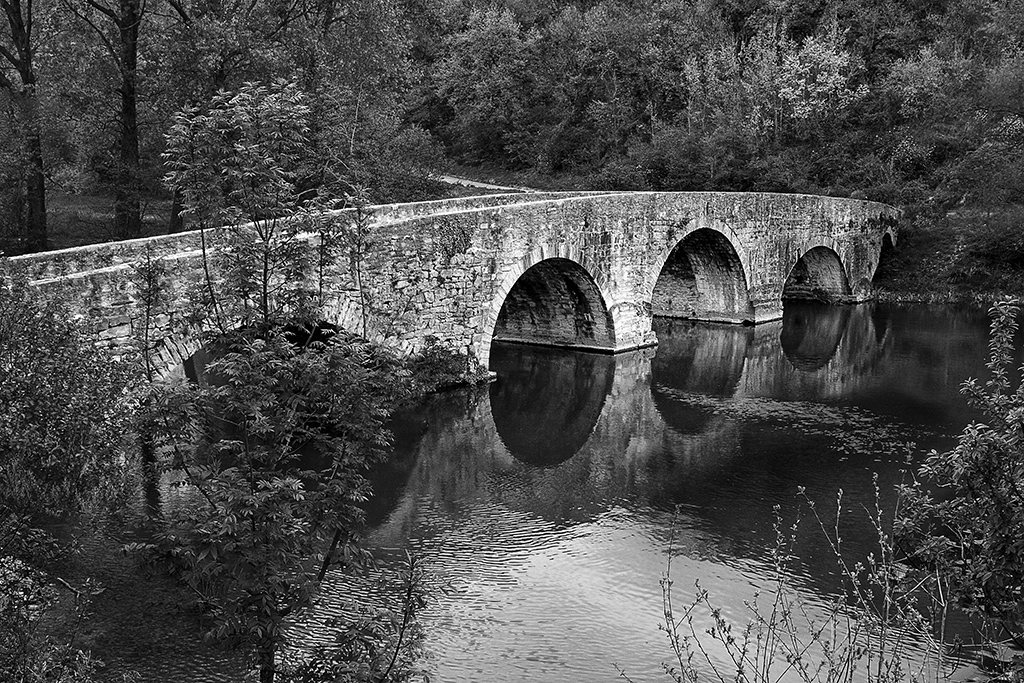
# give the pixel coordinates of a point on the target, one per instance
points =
(127, 205)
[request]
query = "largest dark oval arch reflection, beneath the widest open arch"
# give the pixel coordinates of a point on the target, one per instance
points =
(546, 402)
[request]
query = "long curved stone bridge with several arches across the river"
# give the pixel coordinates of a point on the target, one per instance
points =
(586, 271)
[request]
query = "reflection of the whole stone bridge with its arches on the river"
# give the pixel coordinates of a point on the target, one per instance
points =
(579, 429)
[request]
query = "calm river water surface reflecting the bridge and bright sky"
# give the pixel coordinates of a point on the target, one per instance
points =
(544, 503)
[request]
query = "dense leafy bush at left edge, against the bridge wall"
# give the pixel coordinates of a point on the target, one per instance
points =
(67, 407)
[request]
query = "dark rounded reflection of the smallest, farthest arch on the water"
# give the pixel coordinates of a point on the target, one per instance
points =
(812, 333)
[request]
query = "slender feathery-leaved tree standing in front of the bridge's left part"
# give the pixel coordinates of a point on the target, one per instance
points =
(278, 435)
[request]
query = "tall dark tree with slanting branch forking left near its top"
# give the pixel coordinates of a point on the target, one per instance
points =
(120, 36)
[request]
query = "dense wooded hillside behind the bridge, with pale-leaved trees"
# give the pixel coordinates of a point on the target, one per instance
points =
(707, 95)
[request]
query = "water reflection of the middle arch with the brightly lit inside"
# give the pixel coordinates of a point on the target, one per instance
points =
(696, 359)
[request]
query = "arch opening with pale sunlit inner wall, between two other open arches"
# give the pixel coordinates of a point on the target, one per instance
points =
(703, 280)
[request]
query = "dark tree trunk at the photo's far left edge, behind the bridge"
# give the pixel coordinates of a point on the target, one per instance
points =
(18, 78)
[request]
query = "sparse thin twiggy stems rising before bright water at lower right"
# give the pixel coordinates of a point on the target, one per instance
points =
(872, 630)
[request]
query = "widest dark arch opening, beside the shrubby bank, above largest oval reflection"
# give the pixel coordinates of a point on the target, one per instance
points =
(557, 303)
